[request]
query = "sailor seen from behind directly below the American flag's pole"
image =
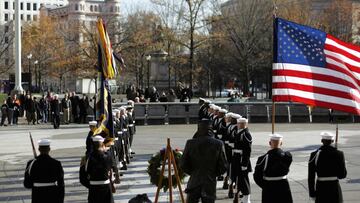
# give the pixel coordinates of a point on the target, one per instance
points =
(271, 173)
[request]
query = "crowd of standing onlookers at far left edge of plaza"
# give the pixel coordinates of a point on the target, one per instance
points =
(45, 109)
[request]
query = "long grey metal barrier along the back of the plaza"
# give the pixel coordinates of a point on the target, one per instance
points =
(185, 113)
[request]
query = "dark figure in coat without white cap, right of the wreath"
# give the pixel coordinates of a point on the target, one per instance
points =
(203, 159)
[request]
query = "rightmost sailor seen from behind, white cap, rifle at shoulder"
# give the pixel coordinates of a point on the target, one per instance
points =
(328, 164)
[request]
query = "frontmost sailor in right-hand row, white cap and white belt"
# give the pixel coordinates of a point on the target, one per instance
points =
(241, 165)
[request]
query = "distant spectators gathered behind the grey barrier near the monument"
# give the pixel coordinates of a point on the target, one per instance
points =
(183, 94)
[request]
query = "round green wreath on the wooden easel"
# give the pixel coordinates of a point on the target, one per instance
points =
(154, 169)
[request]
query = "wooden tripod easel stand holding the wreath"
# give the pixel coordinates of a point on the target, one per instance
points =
(169, 157)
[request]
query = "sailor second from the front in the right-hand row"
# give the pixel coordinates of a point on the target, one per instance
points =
(232, 129)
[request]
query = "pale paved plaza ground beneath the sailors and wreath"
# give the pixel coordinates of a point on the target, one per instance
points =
(68, 145)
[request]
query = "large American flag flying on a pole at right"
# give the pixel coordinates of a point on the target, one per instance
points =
(313, 67)
